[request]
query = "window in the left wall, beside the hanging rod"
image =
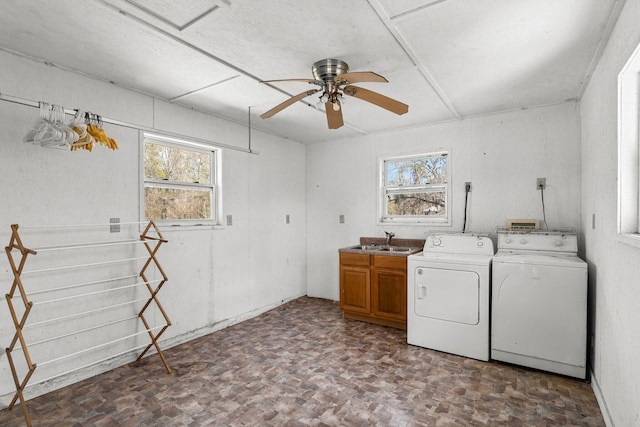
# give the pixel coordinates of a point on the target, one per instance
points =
(179, 181)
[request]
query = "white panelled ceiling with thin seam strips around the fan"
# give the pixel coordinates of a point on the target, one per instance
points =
(446, 59)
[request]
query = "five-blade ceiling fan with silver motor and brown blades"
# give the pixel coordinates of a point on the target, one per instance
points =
(334, 79)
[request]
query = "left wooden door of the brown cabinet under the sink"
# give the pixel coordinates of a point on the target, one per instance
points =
(355, 289)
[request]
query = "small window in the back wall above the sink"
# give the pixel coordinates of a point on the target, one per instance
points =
(415, 188)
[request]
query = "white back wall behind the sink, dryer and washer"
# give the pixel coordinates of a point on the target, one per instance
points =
(501, 155)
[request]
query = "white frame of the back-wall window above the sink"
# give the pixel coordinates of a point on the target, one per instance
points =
(382, 191)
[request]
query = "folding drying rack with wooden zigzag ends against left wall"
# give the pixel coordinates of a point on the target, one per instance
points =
(18, 253)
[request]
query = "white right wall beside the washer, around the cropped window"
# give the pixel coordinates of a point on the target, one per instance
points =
(614, 267)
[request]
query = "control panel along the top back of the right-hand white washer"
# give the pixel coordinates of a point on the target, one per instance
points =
(549, 241)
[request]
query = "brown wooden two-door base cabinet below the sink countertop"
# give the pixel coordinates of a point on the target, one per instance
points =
(373, 288)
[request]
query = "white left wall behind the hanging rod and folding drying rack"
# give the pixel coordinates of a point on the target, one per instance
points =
(216, 277)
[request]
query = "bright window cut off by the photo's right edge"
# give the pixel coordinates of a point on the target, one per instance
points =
(628, 147)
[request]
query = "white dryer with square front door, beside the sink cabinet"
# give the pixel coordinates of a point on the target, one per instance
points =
(448, 293)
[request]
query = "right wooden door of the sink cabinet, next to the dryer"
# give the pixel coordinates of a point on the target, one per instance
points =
(389, 294)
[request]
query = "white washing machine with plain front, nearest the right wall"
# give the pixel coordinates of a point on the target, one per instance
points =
(539, 302)
